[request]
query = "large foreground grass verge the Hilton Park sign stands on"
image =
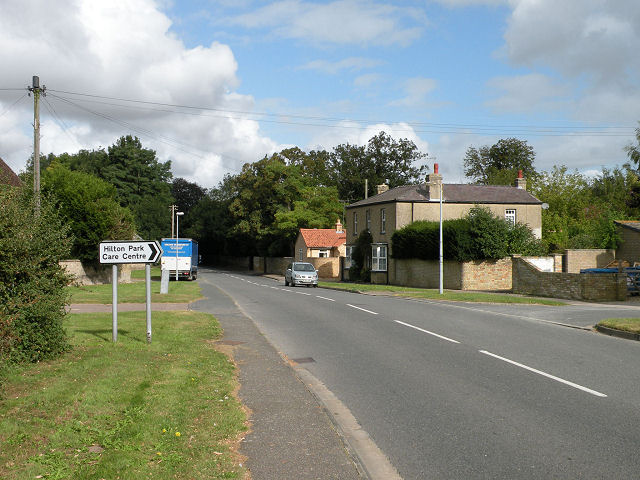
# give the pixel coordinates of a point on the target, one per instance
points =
(127, 410)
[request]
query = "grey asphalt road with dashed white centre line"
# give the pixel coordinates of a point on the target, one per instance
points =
(455, 390)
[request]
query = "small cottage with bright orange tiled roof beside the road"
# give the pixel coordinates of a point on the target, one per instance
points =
(320, 243)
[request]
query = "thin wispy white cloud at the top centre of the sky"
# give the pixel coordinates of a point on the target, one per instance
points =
(342, 22)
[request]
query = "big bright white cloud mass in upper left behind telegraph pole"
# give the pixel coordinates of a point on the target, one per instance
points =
(123, 49)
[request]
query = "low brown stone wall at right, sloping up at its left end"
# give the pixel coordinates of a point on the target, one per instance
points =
(528, 280)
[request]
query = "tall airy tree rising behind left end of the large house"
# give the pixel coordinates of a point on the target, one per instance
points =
(382, 160)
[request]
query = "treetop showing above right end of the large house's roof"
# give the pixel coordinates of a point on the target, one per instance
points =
(500, 163)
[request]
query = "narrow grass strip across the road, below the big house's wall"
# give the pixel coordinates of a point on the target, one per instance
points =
(450, 295)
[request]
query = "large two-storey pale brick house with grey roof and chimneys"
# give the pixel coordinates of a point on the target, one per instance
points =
(390, 210)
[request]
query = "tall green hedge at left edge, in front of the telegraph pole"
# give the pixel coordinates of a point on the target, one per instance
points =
(32, 295)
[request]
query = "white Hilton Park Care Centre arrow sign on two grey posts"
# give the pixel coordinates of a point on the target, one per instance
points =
(118, 252)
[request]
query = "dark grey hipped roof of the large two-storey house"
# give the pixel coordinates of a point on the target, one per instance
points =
(454, 193)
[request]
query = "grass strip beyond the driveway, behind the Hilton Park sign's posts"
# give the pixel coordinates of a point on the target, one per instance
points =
(179, 292)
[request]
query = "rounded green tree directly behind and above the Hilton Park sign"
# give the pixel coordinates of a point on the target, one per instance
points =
(90, 208)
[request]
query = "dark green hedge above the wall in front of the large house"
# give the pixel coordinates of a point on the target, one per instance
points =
(478, 236)
